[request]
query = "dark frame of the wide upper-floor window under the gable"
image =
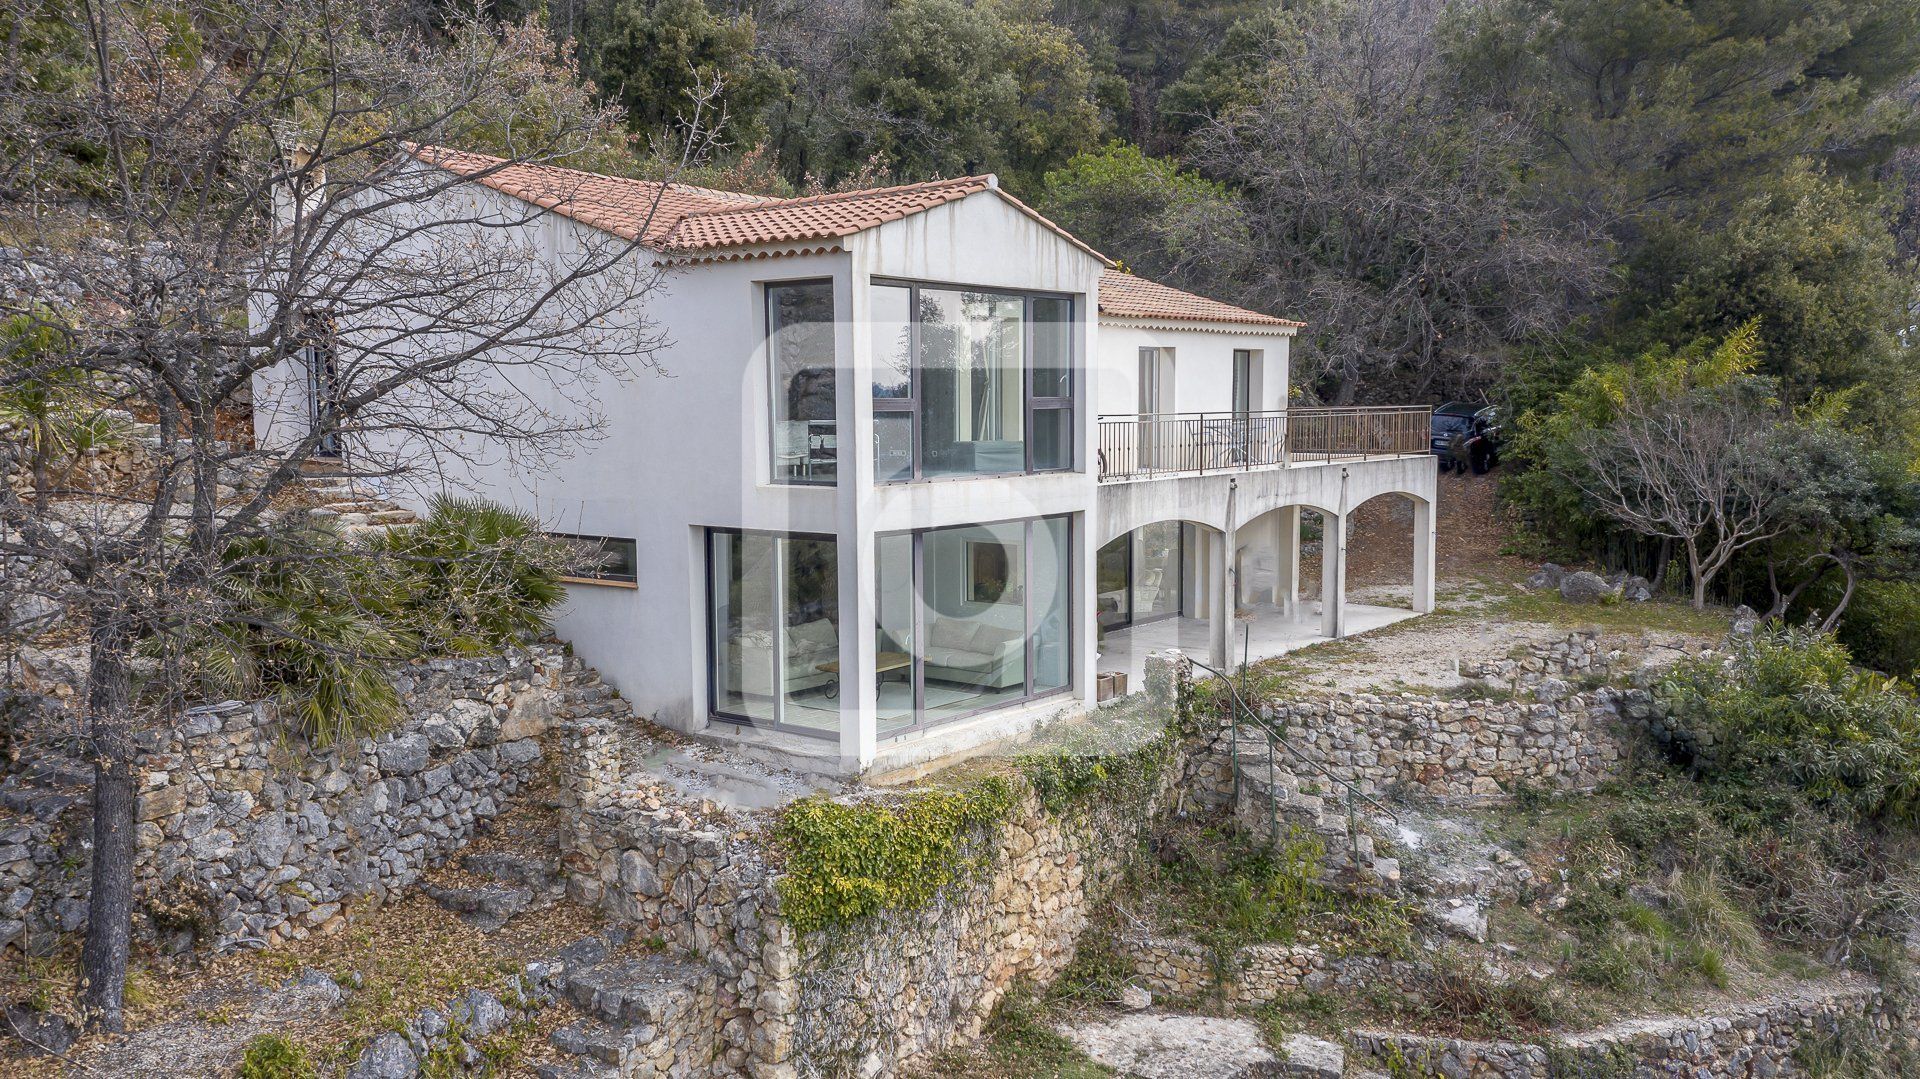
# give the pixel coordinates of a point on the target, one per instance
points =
(1030, 404)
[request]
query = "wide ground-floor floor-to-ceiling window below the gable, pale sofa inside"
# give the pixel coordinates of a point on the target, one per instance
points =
(972, 619)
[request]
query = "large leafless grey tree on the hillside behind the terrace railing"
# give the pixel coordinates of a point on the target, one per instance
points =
(1395, 210)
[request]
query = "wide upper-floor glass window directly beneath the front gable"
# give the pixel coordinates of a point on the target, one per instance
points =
(971, 383)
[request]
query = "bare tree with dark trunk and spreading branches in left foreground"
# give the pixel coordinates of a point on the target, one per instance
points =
(239, 189)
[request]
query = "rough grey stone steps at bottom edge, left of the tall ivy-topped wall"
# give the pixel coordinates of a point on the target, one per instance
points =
(640, 1017)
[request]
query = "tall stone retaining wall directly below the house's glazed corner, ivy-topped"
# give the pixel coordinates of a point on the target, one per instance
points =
(867, 999)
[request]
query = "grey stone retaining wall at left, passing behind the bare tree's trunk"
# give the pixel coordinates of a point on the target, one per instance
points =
(243, 842)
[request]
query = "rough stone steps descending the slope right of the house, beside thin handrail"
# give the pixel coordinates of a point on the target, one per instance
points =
(1274, 794)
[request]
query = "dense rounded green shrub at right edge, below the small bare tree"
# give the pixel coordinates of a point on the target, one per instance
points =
(1792, 709)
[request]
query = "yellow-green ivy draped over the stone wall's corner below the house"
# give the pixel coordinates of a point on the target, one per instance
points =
(850, 861)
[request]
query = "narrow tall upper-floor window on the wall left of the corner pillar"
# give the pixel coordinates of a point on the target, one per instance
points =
(800, 341)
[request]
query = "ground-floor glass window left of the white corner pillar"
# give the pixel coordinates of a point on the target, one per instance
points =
(775, 631)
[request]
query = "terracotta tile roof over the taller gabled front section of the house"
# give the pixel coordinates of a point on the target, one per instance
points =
(688, 220)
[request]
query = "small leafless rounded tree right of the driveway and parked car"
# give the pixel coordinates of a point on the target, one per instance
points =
(1698, 468)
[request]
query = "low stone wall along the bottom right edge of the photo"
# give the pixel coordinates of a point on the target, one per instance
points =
(1737, 1042)
